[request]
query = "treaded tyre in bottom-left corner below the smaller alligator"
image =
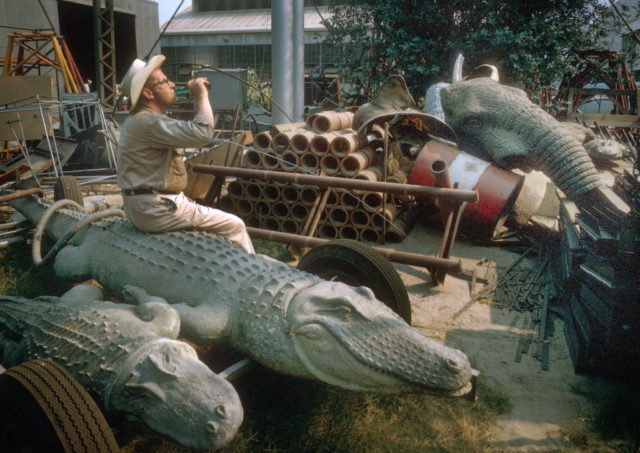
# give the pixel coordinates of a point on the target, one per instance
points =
(45, 409)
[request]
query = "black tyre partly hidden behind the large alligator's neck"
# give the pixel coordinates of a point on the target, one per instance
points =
(357, 264)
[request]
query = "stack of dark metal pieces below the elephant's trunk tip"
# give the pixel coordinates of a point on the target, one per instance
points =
(598, 264)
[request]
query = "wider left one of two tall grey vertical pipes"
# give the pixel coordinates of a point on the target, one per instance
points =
(281, 58)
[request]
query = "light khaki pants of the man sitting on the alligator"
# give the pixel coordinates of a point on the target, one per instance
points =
(156, 213)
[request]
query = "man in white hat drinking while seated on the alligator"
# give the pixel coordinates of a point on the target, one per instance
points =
(151, 171)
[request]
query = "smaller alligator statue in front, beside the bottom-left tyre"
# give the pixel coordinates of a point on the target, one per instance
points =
(127, 357)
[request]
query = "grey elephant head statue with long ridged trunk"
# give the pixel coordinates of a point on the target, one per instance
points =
(499, 123)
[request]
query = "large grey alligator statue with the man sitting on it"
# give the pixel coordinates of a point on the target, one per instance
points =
(284, 318)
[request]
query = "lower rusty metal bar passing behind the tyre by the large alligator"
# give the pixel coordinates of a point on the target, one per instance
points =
(450, 265)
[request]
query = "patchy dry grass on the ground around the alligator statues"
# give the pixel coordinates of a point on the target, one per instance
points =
(285, 414)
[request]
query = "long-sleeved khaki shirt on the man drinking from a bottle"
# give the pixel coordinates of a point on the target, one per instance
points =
(148, 154)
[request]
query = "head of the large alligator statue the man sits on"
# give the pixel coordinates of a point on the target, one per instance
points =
(346, 337)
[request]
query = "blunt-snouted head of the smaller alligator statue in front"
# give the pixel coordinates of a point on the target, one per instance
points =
(166, 387)
